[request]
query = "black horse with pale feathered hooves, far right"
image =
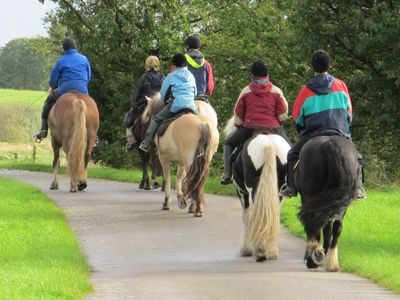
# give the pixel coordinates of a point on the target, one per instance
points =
(326, 179)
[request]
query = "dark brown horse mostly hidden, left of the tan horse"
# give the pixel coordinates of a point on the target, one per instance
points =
(148, 158)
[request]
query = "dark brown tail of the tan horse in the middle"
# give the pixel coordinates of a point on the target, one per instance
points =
(197, 175)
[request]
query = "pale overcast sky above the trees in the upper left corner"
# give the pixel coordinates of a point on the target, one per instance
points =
(22, 18)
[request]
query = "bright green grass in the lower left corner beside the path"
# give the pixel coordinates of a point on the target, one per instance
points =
(40, 257)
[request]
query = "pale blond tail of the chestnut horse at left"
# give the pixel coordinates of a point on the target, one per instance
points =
(76, 153)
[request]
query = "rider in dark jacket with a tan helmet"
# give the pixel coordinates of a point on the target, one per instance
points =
(149, 84)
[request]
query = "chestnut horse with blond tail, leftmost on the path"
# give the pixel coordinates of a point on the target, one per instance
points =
(73, 122)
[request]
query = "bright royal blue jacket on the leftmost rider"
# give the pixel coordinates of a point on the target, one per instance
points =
(71, 72)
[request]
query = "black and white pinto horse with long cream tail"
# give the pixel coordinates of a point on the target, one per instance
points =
(258, 173)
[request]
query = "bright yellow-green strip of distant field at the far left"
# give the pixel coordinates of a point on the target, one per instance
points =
(36, 98)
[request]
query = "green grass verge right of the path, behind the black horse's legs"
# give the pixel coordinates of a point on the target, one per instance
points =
(369, 244)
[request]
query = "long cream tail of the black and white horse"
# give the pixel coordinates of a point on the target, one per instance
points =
(264, 219)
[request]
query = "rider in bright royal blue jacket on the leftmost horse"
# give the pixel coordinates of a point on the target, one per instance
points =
(71, 72)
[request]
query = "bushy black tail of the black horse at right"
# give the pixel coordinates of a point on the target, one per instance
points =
(336, 193)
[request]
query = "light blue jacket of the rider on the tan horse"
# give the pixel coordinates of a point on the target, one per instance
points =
(182, 85)
